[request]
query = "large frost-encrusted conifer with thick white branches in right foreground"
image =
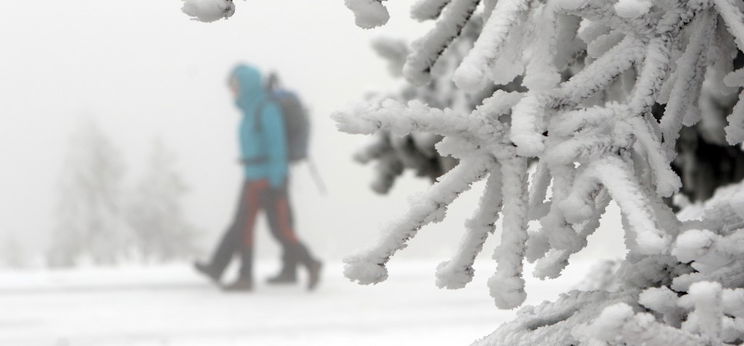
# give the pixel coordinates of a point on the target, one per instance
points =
(599, 95)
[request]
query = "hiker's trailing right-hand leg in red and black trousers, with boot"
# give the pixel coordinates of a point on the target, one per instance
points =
(279, 213)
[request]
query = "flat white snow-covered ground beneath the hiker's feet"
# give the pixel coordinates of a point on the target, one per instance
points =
(171, 306)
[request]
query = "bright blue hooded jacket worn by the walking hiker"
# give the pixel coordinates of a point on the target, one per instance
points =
(263, 145)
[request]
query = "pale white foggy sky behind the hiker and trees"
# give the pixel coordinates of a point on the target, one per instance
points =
(142, 70)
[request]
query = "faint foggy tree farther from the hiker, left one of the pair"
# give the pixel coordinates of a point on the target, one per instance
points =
(89, 225)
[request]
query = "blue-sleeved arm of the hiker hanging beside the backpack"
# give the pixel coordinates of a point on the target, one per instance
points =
(276, 137)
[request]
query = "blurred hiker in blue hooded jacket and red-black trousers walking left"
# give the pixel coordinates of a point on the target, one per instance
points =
(266, 152)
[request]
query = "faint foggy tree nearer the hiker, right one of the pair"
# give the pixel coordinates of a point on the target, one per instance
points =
(155, 212)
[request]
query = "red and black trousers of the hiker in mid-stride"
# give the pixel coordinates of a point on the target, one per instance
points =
(238, 239)
